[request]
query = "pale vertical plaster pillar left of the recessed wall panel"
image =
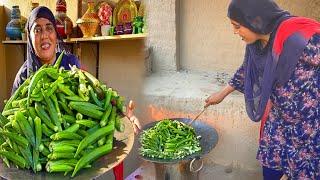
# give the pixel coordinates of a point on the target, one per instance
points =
(162, 34)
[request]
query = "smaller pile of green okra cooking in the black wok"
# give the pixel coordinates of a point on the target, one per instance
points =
(169, 139)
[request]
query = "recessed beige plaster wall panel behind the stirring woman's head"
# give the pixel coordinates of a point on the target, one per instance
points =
(206, 36)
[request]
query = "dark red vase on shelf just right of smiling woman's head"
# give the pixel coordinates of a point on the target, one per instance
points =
(64, 23)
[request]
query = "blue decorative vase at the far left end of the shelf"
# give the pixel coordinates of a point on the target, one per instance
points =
(13, 28)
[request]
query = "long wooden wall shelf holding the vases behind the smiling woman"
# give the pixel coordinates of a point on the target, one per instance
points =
(97, 38)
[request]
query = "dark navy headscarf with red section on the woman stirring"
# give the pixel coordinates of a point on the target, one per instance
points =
(267, 67)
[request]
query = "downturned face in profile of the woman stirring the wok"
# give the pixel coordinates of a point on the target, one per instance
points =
(246, 34)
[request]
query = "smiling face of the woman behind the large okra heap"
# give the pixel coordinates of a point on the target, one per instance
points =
(44, 40)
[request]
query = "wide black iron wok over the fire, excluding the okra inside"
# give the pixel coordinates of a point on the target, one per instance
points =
(209, 138)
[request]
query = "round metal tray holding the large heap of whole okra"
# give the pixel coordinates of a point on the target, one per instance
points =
(122, 146)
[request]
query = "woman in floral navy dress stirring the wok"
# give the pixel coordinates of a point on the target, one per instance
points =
(280, 81)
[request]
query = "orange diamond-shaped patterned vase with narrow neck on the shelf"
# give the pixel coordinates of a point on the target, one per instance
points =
(89, 22)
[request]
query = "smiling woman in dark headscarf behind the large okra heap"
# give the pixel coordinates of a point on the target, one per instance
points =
(44, 47)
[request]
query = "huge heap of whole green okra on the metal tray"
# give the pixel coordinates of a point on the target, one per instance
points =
(60, 120)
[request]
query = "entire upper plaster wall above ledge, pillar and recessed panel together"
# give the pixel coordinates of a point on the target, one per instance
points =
(203, 32)
